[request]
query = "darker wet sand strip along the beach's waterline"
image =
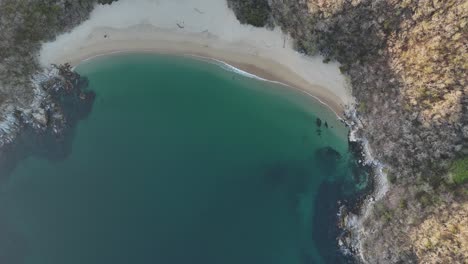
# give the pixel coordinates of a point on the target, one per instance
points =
(267, 69)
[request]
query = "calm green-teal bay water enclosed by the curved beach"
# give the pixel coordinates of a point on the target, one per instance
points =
(183, 162)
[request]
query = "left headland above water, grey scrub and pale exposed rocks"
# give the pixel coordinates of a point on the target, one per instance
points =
(24, 95)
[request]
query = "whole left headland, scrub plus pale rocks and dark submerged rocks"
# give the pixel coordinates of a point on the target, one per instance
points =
(32, 108)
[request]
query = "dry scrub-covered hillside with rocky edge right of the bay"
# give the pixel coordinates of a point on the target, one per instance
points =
(407, 62)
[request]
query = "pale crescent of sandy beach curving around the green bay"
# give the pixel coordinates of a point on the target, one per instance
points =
(205, 28)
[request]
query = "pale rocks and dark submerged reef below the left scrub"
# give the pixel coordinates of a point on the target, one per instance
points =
(60, 101)
